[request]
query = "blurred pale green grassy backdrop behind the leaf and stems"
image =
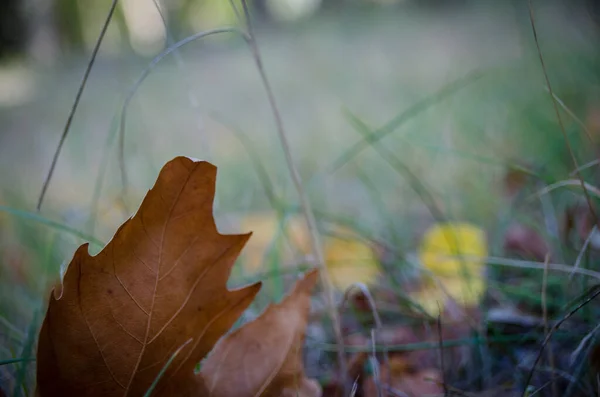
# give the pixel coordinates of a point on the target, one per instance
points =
(457, 84)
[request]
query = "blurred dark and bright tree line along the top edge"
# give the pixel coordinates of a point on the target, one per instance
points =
(140, 27)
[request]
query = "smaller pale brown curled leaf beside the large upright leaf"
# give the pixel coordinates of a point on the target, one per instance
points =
(264, 358)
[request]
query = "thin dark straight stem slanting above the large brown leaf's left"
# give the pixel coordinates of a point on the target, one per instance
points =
(82, 85)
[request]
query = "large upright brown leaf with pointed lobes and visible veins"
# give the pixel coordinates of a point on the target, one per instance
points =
(160, 282)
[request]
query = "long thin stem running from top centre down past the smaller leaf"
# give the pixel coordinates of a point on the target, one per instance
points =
(304, 203)
